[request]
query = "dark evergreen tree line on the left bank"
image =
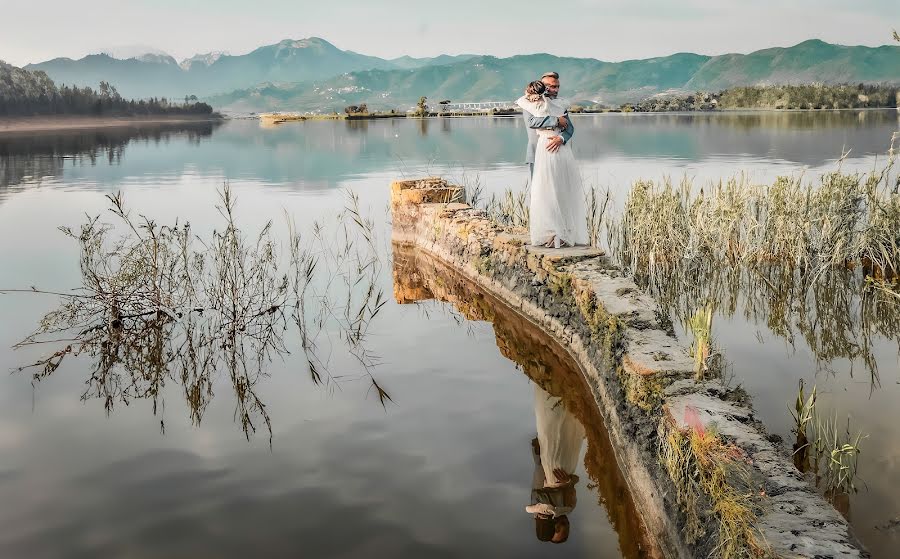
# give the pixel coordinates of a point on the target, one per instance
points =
(27, 93)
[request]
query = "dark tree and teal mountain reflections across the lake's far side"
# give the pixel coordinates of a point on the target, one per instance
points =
(322, 154)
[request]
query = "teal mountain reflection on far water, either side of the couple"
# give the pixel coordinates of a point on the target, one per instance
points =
(329, 151)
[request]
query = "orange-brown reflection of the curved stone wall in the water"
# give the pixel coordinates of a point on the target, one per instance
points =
(419, 277)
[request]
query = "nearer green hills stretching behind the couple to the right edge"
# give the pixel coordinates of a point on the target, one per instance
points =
(583, 80)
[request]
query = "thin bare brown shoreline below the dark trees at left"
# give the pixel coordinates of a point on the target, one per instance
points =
(26, 124)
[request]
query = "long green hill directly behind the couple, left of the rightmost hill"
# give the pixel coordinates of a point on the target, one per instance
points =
(483, 78)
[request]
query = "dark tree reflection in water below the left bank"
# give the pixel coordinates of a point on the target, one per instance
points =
(27, 159)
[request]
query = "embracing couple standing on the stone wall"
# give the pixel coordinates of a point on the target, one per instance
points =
(557, 213)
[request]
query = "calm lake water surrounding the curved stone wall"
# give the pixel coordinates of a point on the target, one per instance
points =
(445, 468)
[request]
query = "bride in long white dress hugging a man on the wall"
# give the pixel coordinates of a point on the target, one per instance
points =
(557, 210)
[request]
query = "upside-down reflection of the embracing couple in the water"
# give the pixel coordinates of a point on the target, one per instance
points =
(555, 451)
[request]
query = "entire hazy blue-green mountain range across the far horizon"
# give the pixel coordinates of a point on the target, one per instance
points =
(314, 75)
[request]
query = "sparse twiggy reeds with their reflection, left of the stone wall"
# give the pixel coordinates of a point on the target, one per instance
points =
(154, 308)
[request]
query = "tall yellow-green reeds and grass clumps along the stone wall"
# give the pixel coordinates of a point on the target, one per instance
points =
(816, 261)
